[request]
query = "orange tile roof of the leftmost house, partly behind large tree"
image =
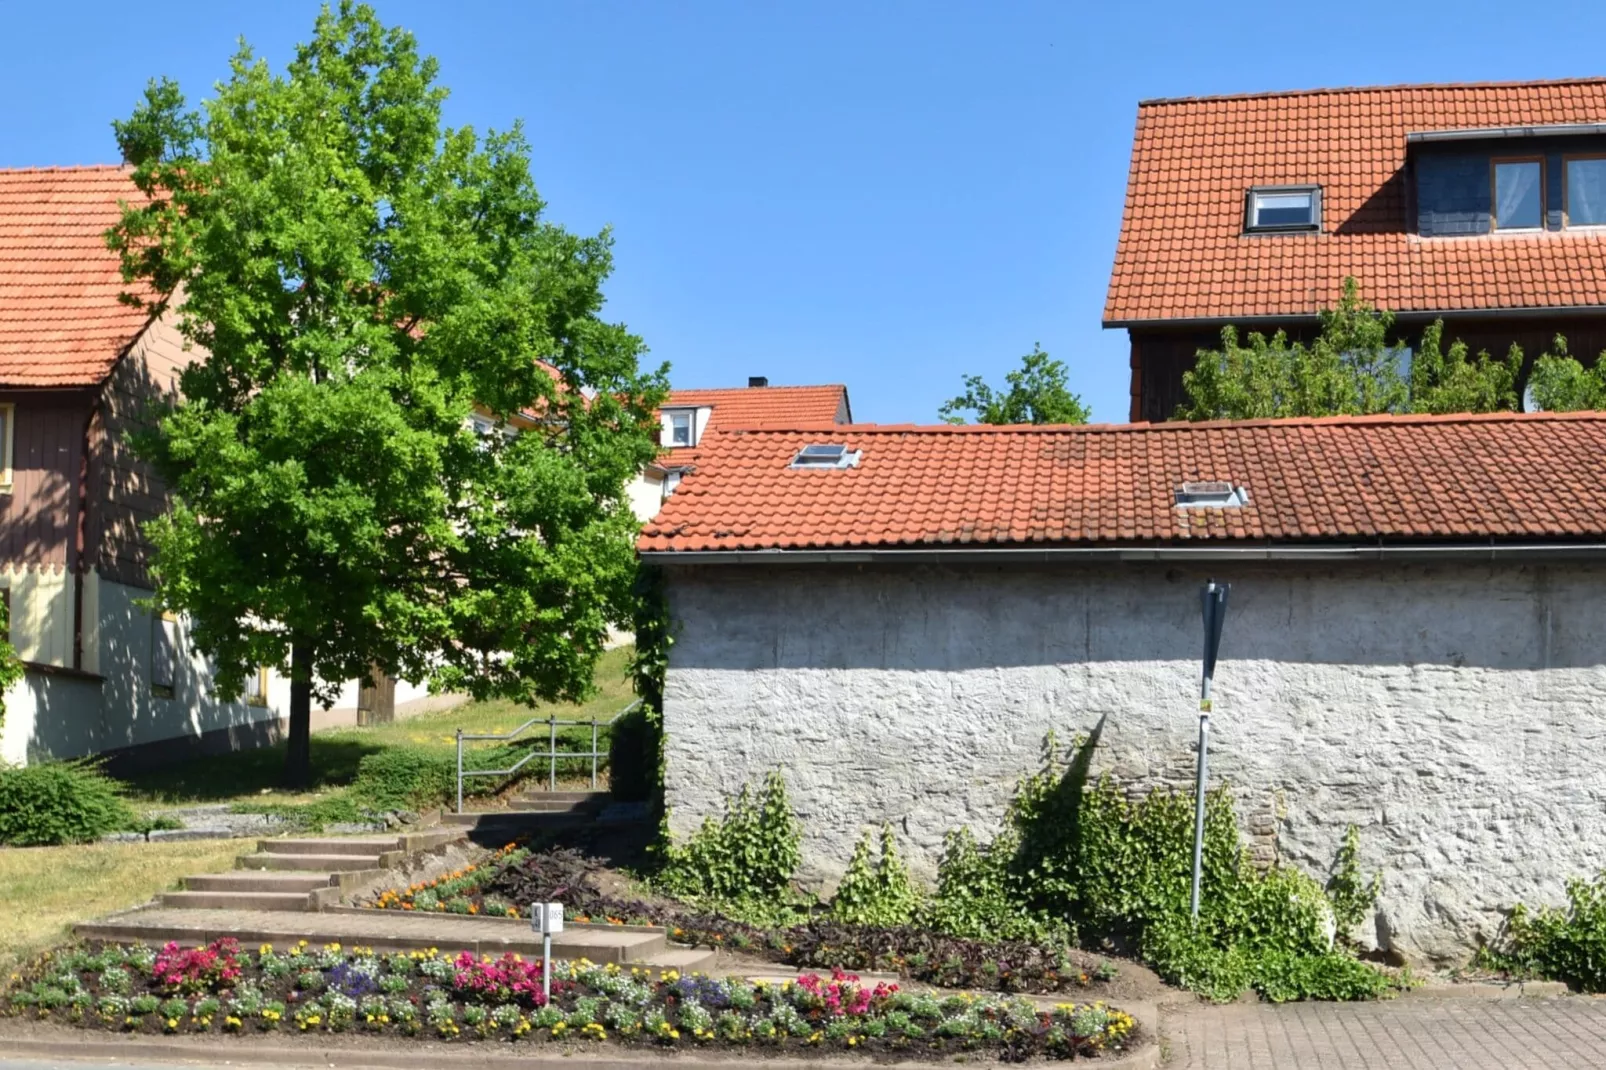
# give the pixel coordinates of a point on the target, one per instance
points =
(60, 321)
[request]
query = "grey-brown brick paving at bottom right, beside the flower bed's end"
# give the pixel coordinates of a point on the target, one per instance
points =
(1412, 1034)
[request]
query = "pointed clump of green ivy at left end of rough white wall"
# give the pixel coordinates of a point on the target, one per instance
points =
(749, 854)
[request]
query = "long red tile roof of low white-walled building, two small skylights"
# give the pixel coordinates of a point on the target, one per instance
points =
(1337, 480)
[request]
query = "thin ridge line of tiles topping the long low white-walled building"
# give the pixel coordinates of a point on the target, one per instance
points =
(1170, 427)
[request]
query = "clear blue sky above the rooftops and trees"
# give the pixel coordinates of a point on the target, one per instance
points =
(886, 195)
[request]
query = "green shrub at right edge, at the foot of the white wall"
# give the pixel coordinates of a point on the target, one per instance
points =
(1567, 944)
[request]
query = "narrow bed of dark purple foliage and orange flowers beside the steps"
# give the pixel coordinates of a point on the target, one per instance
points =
(523, 876)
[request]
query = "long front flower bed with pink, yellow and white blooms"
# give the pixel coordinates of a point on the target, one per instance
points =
(222, 989)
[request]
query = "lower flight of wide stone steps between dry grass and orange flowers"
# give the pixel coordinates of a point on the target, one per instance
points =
(303, 875)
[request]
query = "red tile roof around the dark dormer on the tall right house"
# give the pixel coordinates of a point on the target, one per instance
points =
(1183, 253)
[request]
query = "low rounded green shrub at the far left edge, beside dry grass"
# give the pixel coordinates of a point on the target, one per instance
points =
(60, 802)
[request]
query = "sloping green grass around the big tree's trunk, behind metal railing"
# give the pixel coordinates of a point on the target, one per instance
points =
(255, 777)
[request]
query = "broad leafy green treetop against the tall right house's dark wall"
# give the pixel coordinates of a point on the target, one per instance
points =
(1350, 369)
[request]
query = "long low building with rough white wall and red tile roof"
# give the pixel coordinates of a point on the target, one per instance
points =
(1414, 642)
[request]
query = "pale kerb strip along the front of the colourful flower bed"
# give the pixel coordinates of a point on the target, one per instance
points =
(210, 1052)
